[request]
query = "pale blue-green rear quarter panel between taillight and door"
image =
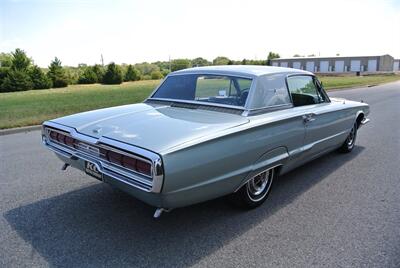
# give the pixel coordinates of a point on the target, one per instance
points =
(218, 165)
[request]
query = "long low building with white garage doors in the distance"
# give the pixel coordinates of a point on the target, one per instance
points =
(384, 63)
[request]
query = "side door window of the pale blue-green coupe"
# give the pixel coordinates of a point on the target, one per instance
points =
(304, 91)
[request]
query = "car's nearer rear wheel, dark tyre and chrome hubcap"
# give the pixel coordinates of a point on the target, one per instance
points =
(256, 190)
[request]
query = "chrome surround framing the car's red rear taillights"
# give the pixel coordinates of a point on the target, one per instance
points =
(151, 183)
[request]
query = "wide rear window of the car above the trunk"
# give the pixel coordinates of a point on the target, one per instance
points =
(228, 90)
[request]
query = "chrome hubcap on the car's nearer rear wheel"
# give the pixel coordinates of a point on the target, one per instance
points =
(259, 185)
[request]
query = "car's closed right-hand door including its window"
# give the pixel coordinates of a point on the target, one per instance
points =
(324, 128)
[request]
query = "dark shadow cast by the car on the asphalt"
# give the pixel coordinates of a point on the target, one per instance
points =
(98, 226)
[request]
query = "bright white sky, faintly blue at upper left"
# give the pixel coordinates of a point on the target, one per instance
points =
(80, 31)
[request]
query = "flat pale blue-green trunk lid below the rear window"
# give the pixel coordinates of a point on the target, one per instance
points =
(152, 127)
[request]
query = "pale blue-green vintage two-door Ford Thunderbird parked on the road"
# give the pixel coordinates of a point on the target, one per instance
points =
(208, 132)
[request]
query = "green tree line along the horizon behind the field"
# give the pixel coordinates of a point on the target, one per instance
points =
(19, 73)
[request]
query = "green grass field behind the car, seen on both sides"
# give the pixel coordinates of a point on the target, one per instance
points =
(33, 107)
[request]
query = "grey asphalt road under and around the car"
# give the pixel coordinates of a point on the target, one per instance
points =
(337, 211)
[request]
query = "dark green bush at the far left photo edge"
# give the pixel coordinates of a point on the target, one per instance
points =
(16, 80)
